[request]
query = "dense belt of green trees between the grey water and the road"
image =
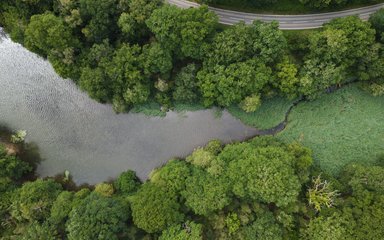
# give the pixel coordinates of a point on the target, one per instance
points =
(131, 52)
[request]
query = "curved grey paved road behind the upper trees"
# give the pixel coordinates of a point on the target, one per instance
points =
(287, 22)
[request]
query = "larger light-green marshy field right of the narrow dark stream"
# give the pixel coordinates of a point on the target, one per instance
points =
(343, 127)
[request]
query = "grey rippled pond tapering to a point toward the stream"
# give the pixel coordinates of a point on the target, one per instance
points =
(88, 139)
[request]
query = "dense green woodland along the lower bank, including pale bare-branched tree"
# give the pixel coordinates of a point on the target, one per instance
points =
(259, 189)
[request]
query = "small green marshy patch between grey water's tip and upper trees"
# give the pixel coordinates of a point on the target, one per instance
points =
(271, 113)
